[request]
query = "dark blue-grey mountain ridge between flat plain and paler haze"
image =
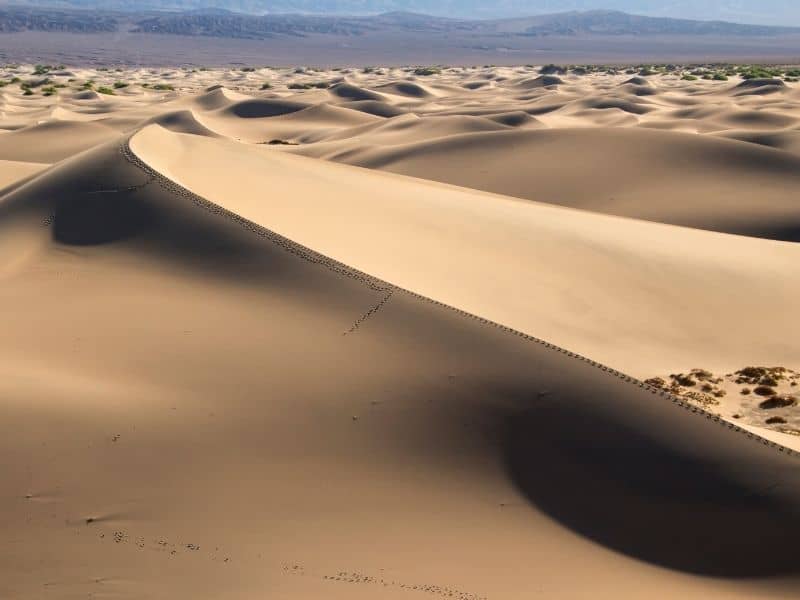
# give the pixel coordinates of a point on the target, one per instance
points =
(222, 23)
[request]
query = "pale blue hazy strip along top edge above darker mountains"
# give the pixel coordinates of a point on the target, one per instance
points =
(764, 12)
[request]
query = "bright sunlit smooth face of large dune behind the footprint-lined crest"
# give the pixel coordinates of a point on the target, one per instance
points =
(470, 249)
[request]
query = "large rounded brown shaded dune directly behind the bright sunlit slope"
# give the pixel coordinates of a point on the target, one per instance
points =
(648, 174)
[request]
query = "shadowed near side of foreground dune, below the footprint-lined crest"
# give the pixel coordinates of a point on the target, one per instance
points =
(395, 402)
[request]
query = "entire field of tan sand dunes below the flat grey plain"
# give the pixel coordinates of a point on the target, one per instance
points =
(234, 368)
